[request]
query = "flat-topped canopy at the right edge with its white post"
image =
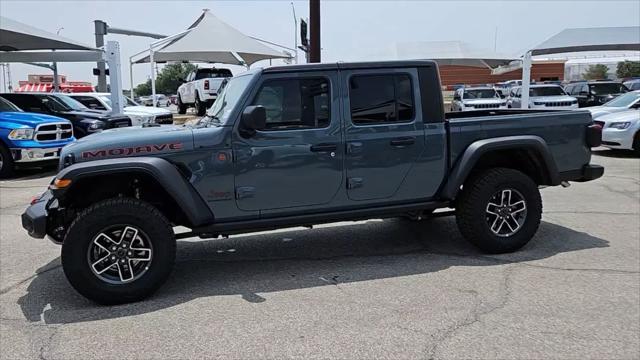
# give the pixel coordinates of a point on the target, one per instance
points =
(579, 40)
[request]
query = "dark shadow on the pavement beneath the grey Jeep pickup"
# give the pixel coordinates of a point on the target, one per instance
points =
(252, 266)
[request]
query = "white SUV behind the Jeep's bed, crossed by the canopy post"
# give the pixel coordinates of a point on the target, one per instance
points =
(543, 97)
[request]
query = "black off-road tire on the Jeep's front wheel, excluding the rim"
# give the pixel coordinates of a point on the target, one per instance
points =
(91, 222)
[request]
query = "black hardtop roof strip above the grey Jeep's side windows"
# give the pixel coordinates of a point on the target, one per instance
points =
(351, 65)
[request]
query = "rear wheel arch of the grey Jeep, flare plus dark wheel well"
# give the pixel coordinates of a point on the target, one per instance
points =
(529, 154)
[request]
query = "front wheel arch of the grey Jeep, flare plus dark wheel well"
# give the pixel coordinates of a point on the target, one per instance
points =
(154, 180)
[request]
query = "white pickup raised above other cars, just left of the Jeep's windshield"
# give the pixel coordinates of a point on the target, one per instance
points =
(200, 89)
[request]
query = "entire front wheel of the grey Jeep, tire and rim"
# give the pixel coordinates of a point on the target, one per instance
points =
(118, 251)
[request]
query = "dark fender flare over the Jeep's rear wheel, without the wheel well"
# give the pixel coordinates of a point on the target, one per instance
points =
(474, 152)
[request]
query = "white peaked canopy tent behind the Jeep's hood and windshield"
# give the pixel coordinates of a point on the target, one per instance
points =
(208, 39)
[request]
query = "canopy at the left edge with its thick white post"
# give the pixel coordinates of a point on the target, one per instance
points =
(24, 43)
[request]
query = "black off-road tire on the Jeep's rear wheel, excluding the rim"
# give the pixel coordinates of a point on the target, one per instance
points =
(474, 222)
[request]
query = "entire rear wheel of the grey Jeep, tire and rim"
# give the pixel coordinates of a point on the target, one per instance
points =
(499, 210)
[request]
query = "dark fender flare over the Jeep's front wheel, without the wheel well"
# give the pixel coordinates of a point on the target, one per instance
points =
(165, 173)
